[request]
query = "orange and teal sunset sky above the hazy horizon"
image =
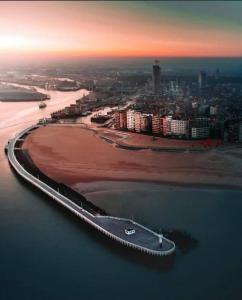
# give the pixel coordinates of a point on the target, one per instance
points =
(78, 29)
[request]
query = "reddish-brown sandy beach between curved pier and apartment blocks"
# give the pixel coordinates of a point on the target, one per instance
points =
(72, 154)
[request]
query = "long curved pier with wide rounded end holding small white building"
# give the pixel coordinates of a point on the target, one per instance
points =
(143, 239)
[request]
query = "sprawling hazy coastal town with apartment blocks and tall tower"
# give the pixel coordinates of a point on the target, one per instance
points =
(188, 107)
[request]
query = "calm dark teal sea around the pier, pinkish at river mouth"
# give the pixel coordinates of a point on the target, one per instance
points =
(46, 253)
